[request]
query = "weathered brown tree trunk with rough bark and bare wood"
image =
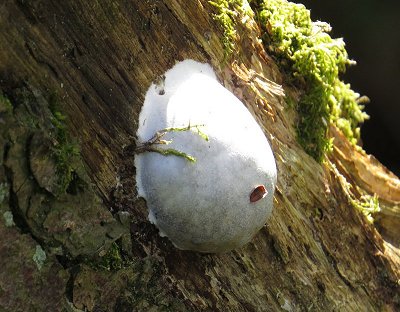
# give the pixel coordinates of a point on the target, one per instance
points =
(75, 236)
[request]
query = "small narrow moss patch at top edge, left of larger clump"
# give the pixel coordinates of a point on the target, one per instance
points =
(226, 14)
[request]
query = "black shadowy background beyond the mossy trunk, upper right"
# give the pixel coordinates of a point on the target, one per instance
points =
(371, 30)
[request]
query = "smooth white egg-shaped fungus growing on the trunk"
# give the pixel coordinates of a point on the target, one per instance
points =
(203, 206)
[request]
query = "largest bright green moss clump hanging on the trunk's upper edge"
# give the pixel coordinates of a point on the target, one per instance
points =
(314, 58)
